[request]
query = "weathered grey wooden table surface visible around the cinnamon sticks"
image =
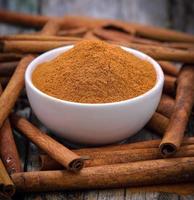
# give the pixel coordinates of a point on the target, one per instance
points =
(176, 14)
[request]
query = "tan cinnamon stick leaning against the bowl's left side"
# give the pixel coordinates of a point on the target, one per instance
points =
(13, 89)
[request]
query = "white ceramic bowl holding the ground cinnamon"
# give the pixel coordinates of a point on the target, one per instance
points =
(93, 124)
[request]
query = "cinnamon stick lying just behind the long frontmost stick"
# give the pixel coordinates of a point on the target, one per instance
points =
(139, 151)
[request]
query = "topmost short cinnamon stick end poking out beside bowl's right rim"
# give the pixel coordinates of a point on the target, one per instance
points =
(169, 68)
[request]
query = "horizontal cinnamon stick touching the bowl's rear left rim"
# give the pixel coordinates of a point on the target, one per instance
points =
(31, 46)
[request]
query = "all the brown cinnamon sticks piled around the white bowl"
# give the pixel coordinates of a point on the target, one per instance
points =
(146, 163)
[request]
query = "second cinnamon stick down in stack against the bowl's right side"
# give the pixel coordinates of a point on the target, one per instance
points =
(169, 84)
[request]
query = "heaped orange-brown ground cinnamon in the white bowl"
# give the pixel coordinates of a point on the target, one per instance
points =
(94, 72)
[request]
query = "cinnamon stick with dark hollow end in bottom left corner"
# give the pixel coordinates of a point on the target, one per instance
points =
(6, 185)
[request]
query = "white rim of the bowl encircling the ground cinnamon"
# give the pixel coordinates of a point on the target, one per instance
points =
(31, 67)
